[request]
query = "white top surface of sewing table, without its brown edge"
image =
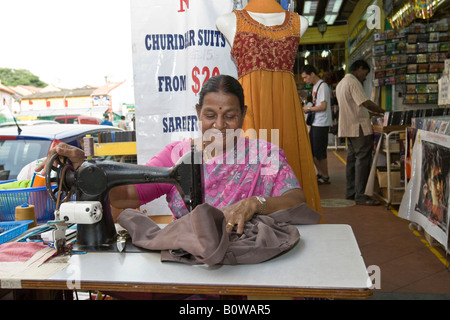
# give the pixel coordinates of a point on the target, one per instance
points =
(326, 257)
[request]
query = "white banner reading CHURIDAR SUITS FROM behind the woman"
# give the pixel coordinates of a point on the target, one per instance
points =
(176, 48)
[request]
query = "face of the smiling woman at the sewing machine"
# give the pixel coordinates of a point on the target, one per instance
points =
(219, 115)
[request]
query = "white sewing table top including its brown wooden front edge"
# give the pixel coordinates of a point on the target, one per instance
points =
(325, 263)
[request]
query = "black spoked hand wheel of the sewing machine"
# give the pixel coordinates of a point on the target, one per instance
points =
(59, 167)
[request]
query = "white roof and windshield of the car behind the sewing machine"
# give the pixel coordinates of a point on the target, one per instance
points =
(34, 142)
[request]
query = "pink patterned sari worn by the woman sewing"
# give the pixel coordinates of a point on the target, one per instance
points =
(251, 168)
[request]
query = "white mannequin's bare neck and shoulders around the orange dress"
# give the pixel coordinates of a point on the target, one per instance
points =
(266, 12)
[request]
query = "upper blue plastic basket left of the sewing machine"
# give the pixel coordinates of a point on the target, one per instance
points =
(44, 206)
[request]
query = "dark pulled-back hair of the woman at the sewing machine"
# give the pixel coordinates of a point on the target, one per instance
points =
(224, 83)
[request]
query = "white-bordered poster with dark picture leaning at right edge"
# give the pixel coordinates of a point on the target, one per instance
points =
(426, 198)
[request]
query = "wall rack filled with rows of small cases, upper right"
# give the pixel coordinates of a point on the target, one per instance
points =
(412, 59)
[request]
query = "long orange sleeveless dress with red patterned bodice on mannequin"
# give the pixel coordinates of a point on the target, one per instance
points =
(265, 57)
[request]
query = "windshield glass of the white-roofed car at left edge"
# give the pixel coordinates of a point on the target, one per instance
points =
(16, 154)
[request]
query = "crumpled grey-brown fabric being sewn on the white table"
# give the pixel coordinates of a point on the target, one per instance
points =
(201, 237)
